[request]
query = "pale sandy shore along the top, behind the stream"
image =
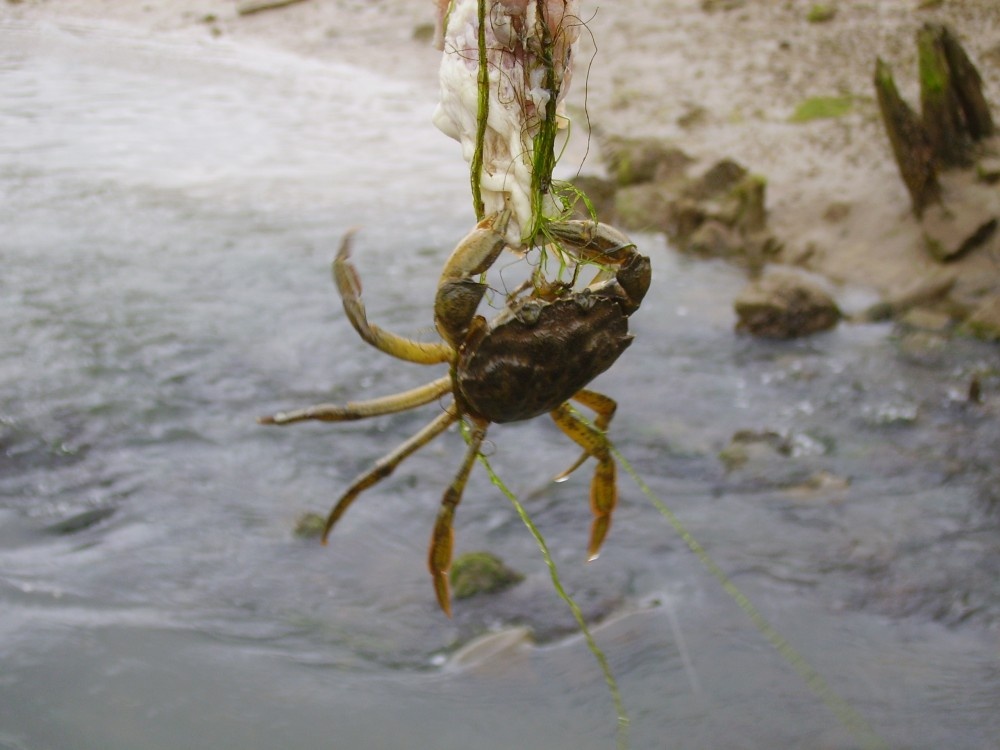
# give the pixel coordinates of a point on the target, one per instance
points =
(719, 83)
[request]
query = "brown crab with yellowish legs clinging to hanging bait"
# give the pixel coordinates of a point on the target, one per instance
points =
(538, 354)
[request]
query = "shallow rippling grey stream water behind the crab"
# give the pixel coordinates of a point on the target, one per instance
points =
(170, 209)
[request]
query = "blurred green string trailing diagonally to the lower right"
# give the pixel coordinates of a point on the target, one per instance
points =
(854, 722)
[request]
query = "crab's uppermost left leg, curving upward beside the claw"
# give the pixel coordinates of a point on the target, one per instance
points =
(348, 282)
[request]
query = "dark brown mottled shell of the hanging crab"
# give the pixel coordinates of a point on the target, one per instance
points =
(540, 357)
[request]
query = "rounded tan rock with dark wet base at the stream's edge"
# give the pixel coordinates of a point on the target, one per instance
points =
(784, 304)
